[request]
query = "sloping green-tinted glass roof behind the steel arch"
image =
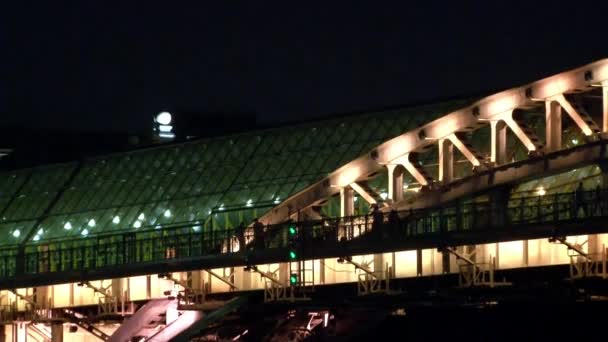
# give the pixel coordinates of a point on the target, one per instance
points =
(215, 182)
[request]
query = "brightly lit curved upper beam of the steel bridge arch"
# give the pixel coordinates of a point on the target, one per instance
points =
(466, 119)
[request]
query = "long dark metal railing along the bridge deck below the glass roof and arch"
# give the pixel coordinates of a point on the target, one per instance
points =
(184, 242)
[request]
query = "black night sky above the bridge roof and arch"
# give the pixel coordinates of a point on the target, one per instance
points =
(100, 65)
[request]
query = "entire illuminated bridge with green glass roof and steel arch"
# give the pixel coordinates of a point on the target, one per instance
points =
(176, 242)
